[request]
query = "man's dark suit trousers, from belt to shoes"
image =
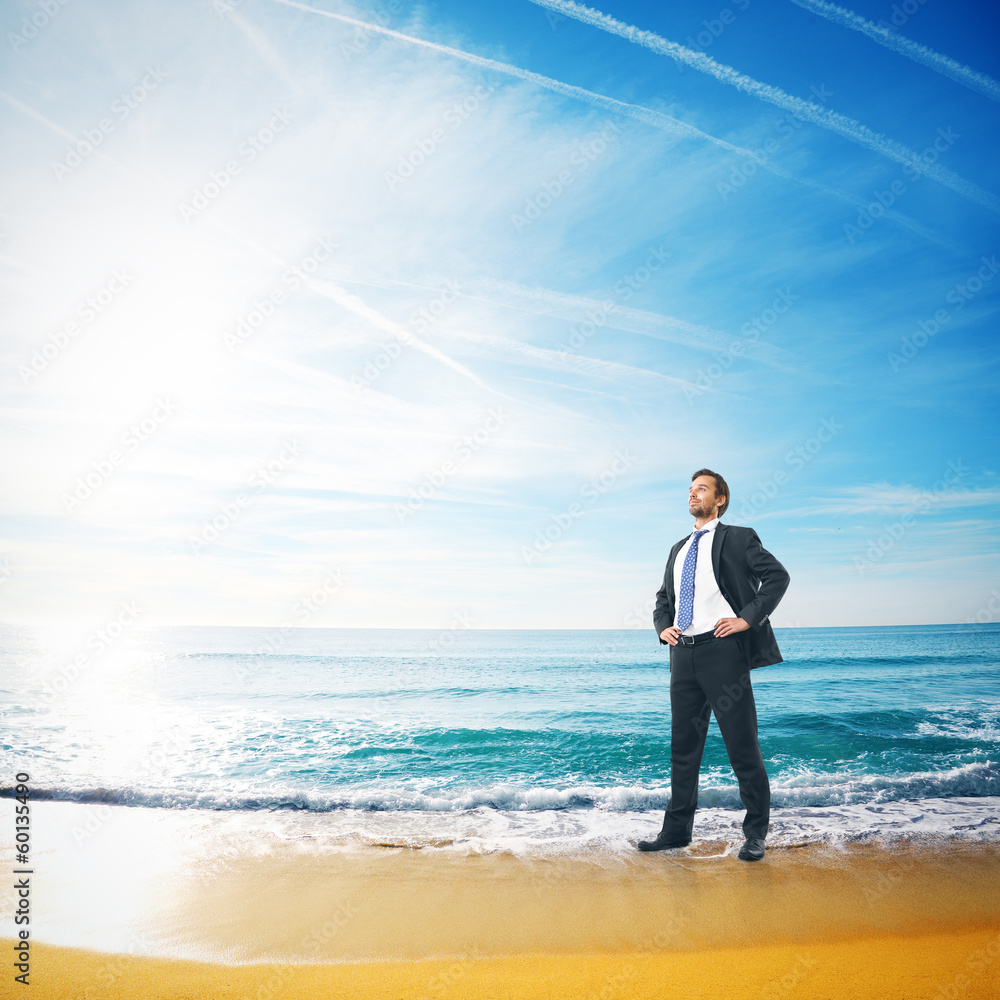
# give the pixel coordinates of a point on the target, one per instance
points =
(713, 676)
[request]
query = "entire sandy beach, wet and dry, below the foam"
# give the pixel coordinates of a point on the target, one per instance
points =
(264, 917)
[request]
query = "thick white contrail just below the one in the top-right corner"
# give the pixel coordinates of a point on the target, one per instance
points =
(806, 110)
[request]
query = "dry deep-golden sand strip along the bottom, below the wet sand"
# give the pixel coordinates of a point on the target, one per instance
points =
(943, 965)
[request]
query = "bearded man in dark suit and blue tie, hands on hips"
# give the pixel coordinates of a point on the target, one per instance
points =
(719, 588)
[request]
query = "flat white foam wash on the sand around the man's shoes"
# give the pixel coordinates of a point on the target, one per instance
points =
(539, 831)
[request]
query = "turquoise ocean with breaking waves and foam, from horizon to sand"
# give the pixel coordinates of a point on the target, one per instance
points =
(482, 740)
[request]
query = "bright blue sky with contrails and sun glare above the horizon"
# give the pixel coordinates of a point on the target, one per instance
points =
(306, 322)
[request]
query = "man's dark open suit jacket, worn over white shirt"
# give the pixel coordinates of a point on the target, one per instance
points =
(750, 579)
